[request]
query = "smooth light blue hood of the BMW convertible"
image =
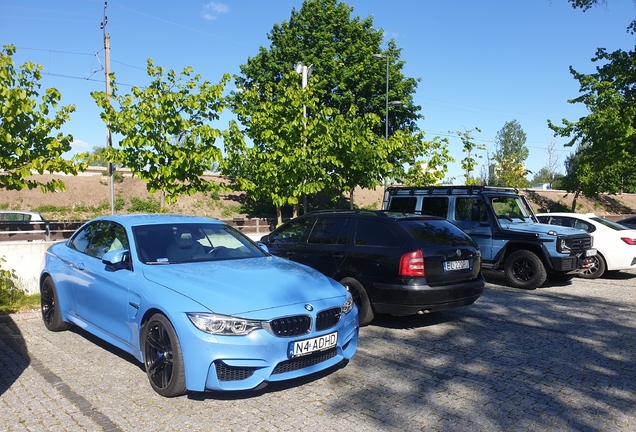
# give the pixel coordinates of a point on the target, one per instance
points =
(235, 287)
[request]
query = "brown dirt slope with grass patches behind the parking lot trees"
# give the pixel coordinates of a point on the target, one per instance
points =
(88, 195)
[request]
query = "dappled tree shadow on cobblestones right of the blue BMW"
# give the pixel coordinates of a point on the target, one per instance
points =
(545, 359)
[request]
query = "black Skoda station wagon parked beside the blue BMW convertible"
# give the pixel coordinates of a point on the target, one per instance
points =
(392, 263)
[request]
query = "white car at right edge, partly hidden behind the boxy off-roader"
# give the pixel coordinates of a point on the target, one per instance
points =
(615, 243)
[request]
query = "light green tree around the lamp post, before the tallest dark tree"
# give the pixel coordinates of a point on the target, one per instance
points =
(277, 166)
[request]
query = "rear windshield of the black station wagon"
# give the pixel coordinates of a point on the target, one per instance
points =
(435, 232)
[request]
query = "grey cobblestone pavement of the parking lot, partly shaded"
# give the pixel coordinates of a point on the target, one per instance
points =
(561, 357)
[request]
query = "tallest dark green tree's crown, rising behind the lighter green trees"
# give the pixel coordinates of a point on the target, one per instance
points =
(341, 49)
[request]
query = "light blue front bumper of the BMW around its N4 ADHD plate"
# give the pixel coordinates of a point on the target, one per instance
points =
(244, 362)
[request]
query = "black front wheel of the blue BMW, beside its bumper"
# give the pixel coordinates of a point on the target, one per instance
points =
(163, 357)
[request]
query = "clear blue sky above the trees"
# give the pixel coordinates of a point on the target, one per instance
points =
(481, 64)
